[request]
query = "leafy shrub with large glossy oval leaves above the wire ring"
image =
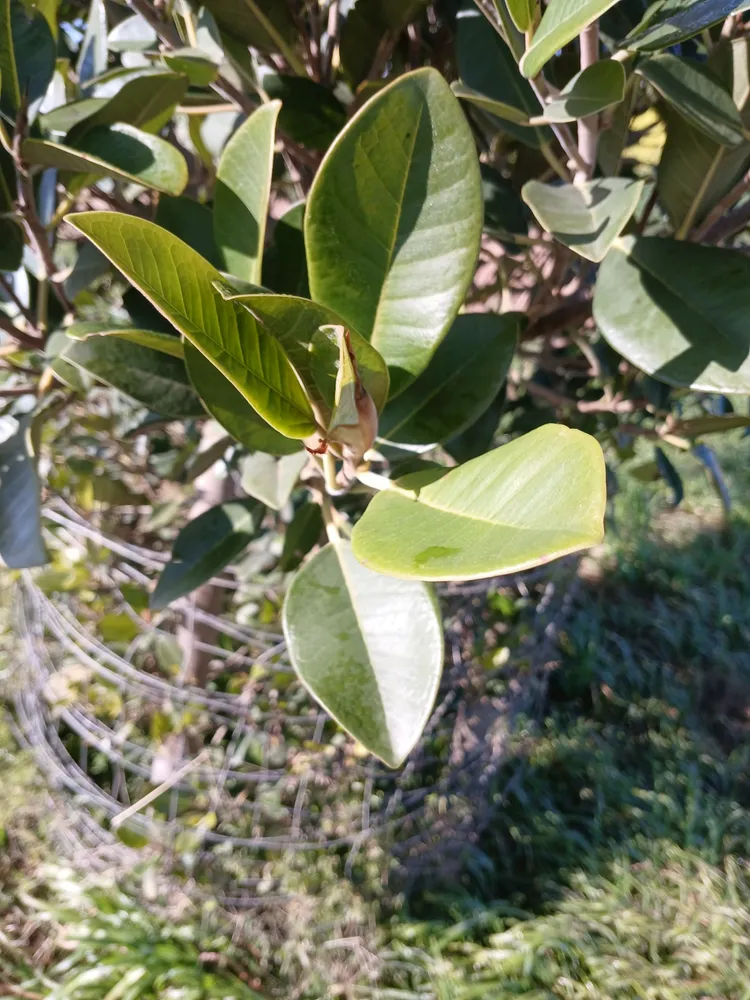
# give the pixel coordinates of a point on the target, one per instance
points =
(407, 267)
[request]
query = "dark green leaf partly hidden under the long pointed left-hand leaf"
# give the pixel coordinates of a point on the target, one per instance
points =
(230, 408)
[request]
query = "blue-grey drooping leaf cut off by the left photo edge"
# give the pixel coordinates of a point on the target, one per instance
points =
(21, 543)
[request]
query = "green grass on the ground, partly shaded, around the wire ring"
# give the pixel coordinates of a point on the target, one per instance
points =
(612, 864)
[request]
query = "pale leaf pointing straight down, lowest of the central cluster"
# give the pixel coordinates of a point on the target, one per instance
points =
(368, 648)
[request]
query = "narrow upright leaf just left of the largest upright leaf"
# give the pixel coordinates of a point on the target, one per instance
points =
(243, 188)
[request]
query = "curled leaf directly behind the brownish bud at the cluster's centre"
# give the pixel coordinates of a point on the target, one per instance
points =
(307, 332)
